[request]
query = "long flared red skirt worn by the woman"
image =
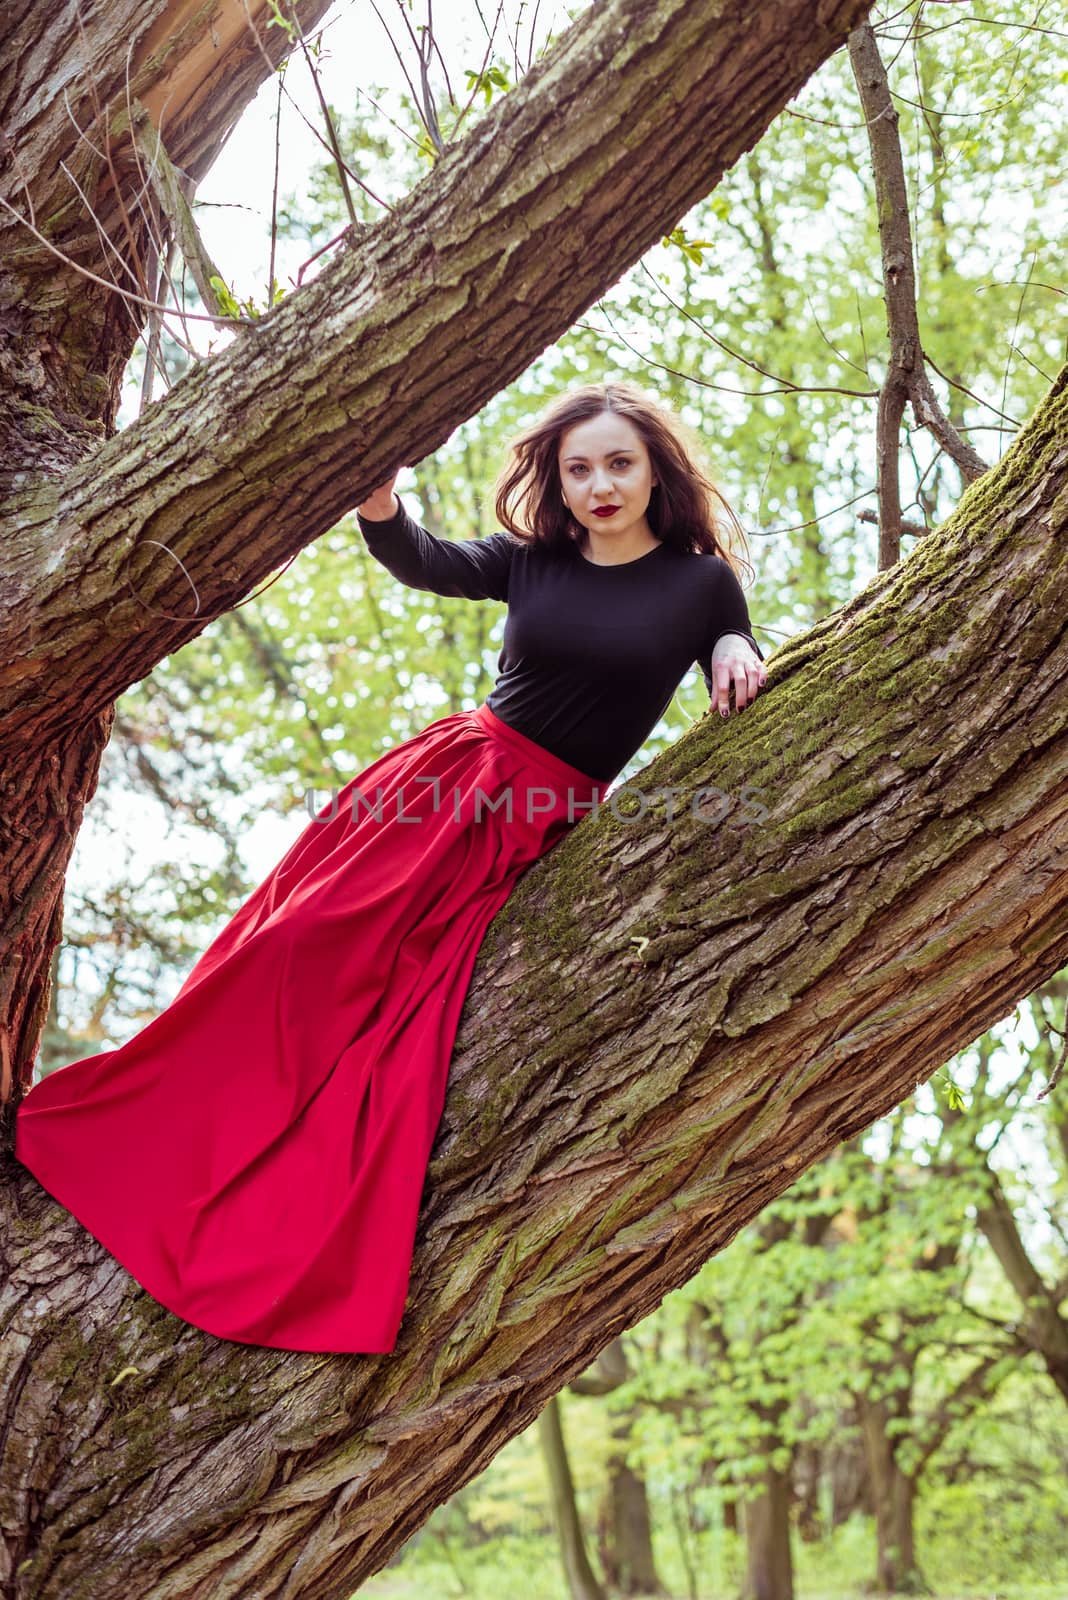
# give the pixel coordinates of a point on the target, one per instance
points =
(257, 1154)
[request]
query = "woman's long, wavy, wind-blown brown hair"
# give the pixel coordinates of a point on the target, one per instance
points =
(687, 510)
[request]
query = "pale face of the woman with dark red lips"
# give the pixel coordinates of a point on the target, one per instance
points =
(605, 463)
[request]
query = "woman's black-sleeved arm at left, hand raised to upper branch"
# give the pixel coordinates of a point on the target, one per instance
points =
(476, 569)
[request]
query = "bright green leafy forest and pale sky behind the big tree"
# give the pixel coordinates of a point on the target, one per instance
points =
(877, 1372)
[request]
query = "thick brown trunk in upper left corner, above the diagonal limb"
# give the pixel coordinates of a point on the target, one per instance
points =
(65, 338)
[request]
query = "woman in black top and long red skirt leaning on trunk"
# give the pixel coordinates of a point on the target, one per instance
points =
(255, 1156)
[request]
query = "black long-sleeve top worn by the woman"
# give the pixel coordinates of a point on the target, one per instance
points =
(592, 655)
